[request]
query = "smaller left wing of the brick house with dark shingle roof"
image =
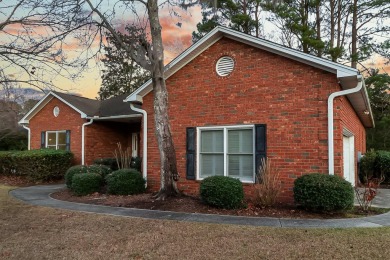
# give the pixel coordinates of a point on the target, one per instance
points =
(89, 128)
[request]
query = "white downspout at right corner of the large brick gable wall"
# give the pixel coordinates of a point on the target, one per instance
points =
(330, 120)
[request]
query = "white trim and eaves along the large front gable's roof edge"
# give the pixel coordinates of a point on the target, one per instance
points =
(347, 76)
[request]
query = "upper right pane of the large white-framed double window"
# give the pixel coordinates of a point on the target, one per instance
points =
(240, 141)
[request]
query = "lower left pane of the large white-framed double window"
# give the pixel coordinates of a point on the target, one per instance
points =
(211, 164)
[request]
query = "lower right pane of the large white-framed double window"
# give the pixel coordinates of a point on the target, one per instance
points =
(240, 166)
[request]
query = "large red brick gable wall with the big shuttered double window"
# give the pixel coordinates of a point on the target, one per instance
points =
(264, 88)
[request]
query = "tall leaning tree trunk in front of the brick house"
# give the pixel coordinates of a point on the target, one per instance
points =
(168, 168)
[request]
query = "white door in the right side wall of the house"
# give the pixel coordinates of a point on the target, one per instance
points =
(349, 159)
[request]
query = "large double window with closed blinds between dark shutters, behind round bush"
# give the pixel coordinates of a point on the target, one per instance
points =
(226, 151)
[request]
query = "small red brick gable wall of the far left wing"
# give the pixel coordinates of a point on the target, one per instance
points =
(68, 119)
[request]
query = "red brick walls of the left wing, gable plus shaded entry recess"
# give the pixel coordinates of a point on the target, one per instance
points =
(101, 138)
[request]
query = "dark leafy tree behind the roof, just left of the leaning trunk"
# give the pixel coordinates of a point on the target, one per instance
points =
(121, 74)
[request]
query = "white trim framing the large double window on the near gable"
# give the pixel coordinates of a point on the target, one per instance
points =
(225, 128)
